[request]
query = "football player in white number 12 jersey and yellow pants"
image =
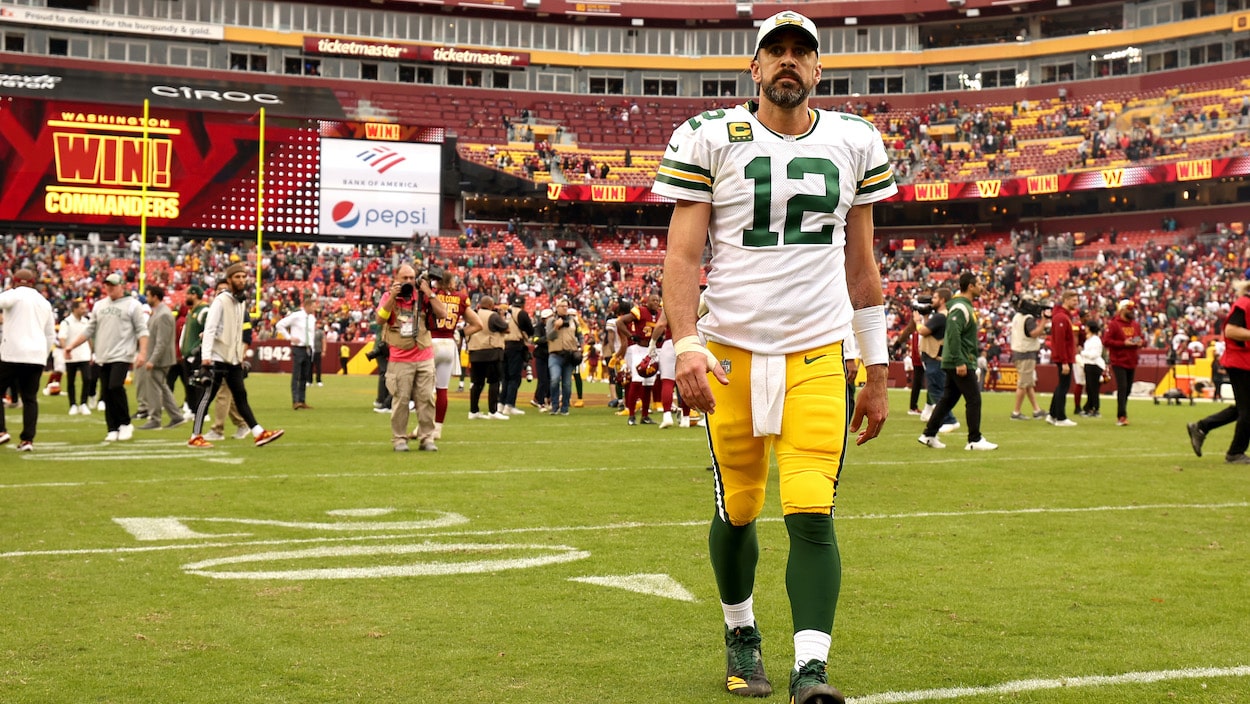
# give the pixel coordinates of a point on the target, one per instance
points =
(784, 193)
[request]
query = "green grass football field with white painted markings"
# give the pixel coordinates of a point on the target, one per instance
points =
(1068, 553)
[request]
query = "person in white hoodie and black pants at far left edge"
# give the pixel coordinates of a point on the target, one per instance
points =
(28, 338)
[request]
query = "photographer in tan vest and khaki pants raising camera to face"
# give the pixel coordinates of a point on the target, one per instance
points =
(404, 317)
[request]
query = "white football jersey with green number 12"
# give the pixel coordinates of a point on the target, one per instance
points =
(777, 282)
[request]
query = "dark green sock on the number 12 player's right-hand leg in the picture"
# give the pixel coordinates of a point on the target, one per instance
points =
(814, 573)
